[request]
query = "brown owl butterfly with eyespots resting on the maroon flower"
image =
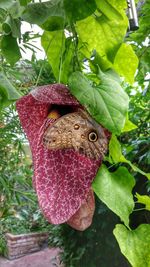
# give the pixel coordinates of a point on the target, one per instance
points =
(79, 131)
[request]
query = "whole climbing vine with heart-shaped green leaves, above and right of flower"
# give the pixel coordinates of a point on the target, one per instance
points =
(89, 48)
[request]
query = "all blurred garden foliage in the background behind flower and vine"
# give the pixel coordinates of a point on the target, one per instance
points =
(19, 211)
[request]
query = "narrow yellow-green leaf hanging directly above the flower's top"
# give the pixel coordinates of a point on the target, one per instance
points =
(59, 54)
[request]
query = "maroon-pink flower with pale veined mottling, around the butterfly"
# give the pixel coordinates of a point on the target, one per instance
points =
(62, 178)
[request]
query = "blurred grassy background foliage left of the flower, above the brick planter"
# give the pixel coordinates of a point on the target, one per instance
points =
(19, 211)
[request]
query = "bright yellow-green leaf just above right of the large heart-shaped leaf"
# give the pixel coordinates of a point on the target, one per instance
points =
(126, 62)
